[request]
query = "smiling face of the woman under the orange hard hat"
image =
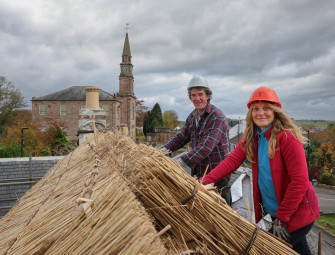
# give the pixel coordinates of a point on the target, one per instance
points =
(262, 114)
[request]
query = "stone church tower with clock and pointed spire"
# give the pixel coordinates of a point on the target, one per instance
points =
(126, 91)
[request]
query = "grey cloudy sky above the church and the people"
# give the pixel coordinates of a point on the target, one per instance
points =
(238, 45)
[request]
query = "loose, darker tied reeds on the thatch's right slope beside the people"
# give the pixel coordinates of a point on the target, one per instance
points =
(203, 224)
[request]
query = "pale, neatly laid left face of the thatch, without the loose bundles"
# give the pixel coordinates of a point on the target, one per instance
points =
(52, 219)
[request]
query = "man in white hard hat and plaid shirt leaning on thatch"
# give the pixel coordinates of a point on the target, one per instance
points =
(207, 130)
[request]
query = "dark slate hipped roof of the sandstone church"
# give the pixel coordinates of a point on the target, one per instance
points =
(75, 93)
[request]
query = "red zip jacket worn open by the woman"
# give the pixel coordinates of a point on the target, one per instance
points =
(298, 203)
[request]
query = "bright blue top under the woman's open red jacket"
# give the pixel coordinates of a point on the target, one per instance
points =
(265, 182)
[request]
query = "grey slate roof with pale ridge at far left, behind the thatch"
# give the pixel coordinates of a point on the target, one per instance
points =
(17, 175)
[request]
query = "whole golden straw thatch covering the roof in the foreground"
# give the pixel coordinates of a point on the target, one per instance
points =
(111, 196)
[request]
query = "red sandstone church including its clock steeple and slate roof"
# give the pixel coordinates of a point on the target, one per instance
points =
(63, 106)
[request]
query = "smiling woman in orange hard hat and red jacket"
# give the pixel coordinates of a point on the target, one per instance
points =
(274, 145)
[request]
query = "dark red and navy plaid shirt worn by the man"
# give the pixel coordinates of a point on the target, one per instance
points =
(209, 141)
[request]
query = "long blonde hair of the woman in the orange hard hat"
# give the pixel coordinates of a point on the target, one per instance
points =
(280, 122)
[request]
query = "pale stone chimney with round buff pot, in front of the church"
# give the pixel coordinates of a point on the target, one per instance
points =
(91, 112)
